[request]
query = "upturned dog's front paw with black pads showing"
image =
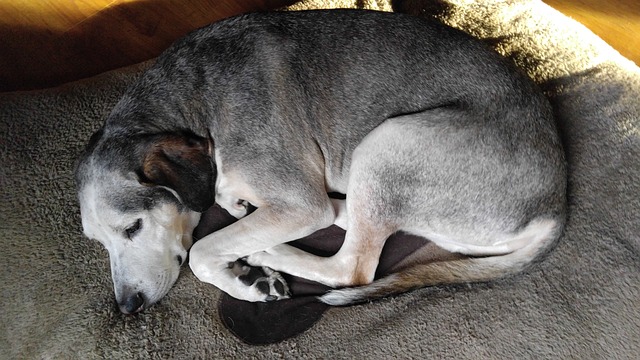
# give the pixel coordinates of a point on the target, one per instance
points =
(267, 283)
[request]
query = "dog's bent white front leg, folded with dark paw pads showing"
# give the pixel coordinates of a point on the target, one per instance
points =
(214, 259)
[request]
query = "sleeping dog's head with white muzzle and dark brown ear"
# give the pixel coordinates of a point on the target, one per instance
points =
(141, 197)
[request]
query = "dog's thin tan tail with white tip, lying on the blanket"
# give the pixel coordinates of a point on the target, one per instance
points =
(538, 236)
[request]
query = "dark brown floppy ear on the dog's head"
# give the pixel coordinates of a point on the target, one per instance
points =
(183, 163)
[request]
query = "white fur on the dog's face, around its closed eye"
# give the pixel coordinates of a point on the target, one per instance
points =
(146, 262)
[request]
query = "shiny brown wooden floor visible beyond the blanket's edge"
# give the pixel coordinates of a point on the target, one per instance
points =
(48, 42)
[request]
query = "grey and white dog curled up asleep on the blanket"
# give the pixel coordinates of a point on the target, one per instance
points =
(423, 128)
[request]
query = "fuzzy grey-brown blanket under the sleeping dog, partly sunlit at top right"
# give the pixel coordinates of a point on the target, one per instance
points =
(581, 302)
